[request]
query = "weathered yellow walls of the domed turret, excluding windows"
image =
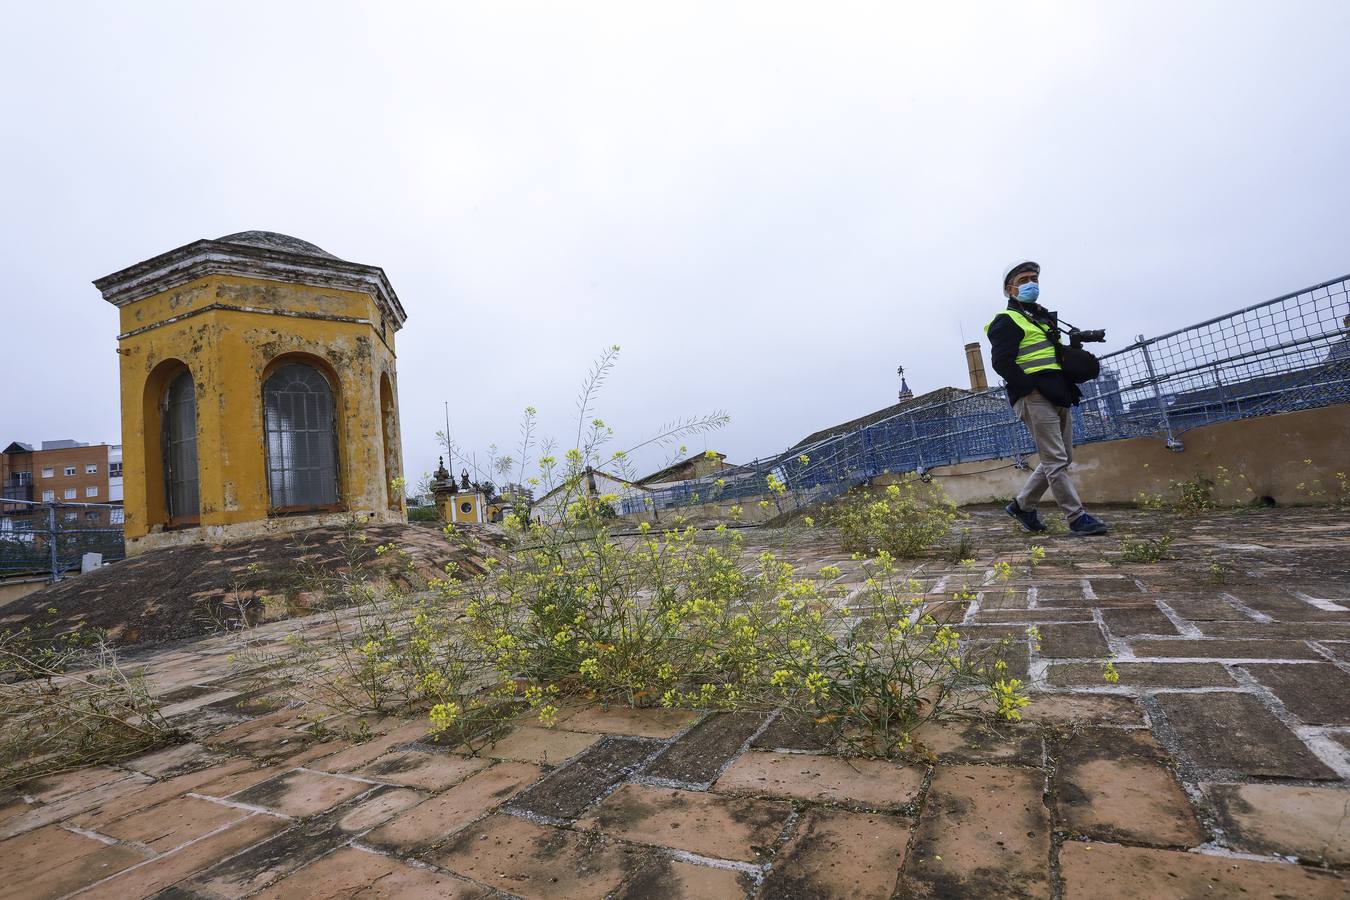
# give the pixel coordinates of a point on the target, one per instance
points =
(229, 331)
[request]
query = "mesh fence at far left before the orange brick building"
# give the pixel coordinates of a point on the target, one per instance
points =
(52, 539)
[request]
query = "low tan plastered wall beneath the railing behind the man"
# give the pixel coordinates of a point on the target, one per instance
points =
(1266, 457)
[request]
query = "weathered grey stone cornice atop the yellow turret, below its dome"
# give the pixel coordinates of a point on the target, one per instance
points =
(205, 258)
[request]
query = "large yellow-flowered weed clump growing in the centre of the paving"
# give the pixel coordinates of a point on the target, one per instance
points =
(674, 617)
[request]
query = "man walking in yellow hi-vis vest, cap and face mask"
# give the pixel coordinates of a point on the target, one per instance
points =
(1025, 338)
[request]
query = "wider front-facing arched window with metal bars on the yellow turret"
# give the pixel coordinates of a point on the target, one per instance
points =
(302, 439)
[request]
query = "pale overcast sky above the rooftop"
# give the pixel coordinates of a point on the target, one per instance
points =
(769, 207)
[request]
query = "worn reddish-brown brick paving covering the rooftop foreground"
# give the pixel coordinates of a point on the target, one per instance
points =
(1218, 764)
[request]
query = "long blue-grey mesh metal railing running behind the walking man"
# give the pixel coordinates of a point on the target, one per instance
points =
(1286, 354)
